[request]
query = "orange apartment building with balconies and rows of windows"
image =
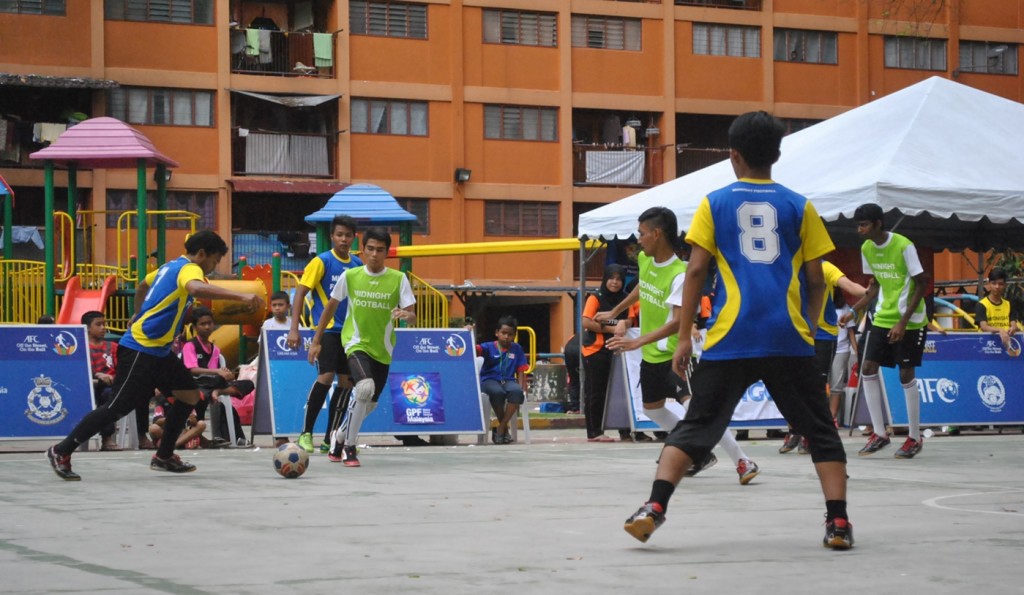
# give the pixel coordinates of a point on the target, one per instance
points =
(271, 107)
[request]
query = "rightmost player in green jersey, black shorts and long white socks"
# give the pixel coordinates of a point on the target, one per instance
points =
(899, 329)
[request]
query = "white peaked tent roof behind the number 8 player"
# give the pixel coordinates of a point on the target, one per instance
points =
(942, 158)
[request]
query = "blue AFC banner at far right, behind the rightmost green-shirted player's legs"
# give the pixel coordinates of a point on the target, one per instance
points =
(964, 379)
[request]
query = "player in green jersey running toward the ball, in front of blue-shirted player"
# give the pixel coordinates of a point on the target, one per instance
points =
(378, 297)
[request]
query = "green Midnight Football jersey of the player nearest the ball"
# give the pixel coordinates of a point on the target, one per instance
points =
(369, 326)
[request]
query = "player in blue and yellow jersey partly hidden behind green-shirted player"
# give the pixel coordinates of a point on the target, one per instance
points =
(318, 280)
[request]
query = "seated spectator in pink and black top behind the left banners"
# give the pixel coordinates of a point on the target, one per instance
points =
(203, 360)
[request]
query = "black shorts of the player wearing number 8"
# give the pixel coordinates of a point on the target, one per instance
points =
(793, 385)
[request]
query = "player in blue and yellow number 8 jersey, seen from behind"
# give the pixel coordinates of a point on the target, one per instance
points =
(767, 242)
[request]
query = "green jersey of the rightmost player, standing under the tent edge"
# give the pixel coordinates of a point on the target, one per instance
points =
(893, 265)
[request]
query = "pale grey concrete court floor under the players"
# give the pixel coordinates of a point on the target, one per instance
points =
(540, 519)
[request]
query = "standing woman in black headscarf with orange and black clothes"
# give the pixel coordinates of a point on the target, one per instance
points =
(598, 358)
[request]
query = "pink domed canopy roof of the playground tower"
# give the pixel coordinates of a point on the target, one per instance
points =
(104, 144)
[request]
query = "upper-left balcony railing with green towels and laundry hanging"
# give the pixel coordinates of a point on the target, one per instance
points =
(258, 52)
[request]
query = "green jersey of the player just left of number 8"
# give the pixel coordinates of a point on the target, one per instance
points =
(661, 289)
